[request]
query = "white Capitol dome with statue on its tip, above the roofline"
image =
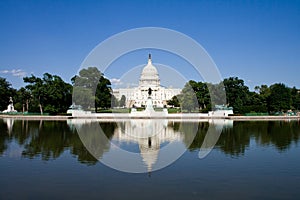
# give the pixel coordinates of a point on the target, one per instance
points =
(149, 75)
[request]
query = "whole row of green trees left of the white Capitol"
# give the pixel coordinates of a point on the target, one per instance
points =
(50, 94)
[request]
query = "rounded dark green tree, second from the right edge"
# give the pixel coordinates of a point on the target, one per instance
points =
(279, 98)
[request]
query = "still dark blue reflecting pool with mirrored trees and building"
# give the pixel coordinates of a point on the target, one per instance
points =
(250, 160)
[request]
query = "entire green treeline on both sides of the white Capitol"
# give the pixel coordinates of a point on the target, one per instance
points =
(90, 89)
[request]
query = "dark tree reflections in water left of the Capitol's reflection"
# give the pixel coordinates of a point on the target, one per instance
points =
(48, 139)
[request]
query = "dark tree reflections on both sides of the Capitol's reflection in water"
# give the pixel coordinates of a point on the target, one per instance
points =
(49, 139)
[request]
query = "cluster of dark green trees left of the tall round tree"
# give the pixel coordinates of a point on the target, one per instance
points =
(49, 94)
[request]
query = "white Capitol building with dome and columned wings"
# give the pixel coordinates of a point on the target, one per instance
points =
(149, 79)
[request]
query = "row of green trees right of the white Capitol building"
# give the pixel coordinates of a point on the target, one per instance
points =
(195, 96)
